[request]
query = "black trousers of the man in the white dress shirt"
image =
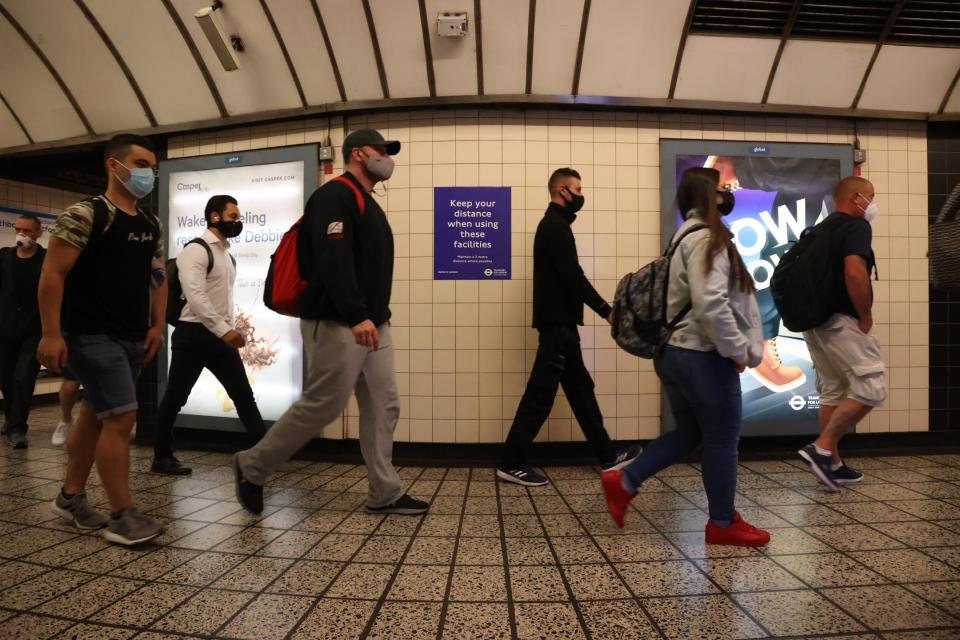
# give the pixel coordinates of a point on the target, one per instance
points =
(195, 348)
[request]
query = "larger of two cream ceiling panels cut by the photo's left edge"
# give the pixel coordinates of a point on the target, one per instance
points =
(32, 92)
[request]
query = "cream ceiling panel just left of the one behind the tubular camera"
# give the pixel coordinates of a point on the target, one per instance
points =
(158, 58)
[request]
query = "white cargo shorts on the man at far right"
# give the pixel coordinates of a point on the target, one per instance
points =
(847, 361)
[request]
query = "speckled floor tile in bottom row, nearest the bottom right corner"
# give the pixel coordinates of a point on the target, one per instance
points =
(888, 608)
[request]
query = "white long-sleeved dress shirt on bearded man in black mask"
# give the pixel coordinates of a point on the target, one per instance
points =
(209, 296)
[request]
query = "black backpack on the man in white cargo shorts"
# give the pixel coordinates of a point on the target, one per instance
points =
(806, 283)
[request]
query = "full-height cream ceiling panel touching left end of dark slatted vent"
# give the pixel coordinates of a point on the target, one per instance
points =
(631, 47)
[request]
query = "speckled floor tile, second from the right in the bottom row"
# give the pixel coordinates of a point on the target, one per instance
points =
(790, 613)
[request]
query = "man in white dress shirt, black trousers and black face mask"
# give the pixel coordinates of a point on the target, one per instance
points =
(205, 336)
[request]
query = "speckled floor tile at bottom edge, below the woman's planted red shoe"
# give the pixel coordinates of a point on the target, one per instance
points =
(702, 617)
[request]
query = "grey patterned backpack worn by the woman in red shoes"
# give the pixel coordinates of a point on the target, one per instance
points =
(640, 323)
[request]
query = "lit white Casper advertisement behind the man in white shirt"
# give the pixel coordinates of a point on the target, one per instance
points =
(270, 198)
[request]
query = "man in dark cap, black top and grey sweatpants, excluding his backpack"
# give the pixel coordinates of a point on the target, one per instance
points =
(346, 253)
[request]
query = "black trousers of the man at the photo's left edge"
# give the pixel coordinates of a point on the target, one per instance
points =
(18, 377)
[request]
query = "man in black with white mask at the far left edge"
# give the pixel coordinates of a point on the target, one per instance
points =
(19, 326)
